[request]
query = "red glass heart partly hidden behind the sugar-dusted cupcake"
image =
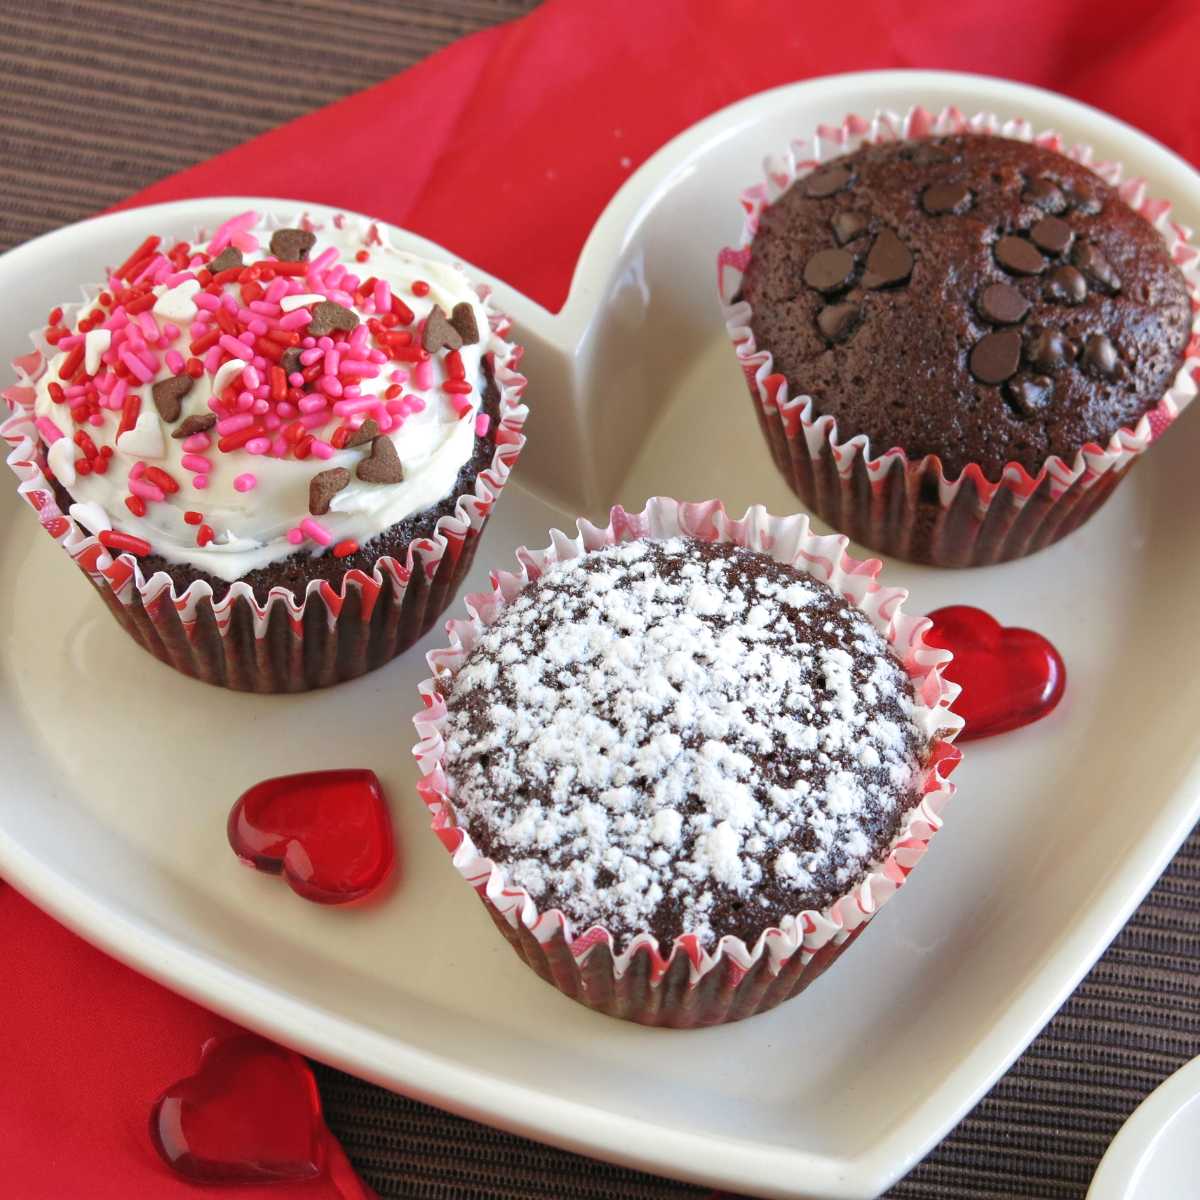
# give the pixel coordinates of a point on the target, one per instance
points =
(1010, 676)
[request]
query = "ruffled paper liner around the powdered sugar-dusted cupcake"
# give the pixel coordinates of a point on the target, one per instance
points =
(691, 985)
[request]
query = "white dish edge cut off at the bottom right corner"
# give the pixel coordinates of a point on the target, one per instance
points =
(1157, 1153)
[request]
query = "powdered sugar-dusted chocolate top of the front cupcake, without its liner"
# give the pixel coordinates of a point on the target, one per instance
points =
(682, 737)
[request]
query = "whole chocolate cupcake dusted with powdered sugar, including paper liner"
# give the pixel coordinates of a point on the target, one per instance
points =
(686, 759)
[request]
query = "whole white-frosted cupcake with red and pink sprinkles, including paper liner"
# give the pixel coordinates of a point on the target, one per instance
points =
(292, 430)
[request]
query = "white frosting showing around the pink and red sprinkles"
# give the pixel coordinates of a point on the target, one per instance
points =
(250, 527)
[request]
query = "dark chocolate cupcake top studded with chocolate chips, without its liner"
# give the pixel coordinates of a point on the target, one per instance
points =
(973, 297)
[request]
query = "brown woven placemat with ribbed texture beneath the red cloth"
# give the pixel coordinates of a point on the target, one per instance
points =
(99, 100)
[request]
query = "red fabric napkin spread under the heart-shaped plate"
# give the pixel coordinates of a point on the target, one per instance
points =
(506, 148)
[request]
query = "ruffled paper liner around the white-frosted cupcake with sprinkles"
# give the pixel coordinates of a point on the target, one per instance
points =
(333, 634)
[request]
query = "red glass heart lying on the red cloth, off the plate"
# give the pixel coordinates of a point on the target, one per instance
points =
(251, 1114)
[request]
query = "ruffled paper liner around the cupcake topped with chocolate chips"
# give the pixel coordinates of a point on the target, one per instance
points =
(908, 507)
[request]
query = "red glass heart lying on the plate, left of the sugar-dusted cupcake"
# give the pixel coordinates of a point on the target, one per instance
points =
(328, 832)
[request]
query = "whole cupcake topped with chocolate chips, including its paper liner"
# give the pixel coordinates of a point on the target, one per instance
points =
(958, 341)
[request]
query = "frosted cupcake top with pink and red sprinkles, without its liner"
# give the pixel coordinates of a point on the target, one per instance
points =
(278, 391)
